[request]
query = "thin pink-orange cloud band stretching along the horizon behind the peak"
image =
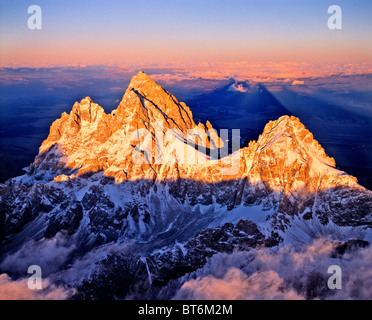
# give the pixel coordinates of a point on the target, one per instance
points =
(73, 75)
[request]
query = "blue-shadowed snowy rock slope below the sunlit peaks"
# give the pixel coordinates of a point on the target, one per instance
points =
(170, 227)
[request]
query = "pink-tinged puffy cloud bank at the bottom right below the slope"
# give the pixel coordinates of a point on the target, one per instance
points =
(288, 273)
